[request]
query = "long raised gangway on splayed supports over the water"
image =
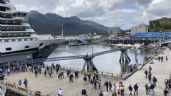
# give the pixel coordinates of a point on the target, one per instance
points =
(87, 58)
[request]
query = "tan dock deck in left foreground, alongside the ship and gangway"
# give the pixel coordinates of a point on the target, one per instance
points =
(49, 86)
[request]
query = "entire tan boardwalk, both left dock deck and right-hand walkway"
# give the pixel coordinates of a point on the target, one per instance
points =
(47, 85)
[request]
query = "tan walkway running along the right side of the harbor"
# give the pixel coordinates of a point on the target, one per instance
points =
(161, 70)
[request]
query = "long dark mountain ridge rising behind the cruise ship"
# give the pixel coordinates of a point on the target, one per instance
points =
(51, 23)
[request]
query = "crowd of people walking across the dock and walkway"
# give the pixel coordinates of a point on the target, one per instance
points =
(91, 78)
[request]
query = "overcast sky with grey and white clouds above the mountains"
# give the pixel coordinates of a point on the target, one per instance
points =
(122, 13)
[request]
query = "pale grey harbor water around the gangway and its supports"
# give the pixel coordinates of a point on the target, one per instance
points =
(105, 63)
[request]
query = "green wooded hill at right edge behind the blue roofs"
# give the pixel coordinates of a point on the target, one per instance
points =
(163, 24)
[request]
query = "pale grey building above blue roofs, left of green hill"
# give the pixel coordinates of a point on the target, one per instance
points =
(140, 28)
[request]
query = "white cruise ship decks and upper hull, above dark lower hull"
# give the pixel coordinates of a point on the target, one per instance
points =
(16, 35)
